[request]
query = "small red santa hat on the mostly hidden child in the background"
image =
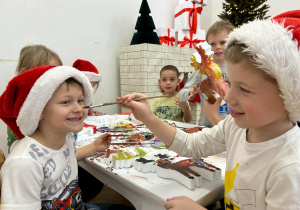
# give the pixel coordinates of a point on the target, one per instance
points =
(89, 70)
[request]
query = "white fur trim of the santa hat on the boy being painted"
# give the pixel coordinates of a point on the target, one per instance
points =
(42, 91)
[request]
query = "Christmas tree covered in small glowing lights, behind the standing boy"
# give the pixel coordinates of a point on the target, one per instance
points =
(239, 12)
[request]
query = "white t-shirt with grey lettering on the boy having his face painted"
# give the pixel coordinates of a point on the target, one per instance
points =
(36, 177)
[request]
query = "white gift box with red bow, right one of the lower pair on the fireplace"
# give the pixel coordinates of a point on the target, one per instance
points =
(187, 39)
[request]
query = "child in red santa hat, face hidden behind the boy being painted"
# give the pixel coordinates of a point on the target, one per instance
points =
(92, 73)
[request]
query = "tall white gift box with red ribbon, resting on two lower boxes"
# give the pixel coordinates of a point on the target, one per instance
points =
(187, 16)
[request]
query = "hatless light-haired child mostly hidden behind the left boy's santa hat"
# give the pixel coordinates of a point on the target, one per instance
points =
(32, 56)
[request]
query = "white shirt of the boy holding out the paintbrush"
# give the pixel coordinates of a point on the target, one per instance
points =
(258, 175)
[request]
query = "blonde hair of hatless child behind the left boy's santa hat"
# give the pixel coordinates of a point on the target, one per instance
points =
(35, 55)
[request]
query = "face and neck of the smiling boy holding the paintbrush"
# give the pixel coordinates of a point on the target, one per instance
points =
(254, 101)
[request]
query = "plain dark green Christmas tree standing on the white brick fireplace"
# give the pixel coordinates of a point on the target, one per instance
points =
(145, 27)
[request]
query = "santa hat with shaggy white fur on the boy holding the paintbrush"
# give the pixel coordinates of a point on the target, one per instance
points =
(273, 44)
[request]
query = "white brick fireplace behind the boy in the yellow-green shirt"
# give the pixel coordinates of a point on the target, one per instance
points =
(140, 66)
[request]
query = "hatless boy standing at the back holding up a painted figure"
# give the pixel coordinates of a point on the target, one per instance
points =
(210, 114)
